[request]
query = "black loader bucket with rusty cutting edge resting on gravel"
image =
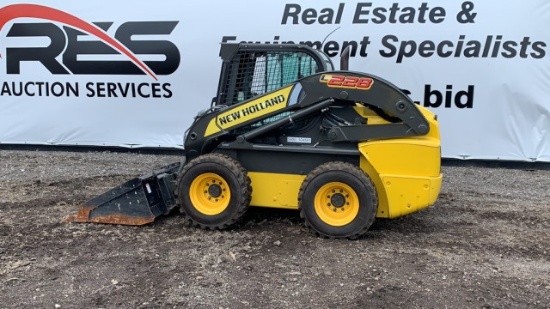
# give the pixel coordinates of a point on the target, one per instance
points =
(136, 202)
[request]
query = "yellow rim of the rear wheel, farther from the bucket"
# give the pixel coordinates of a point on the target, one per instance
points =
(336, 204)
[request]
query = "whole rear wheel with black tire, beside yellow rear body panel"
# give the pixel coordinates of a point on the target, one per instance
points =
(338, 200)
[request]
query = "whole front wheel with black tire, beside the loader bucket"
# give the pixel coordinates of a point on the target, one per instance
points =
(213, 191)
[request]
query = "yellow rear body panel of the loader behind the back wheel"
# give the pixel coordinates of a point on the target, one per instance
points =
(406, 171)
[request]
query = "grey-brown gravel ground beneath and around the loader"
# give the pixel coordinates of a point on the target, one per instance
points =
(485, 244)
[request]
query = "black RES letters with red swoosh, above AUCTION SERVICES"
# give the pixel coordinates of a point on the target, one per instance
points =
(65, 43)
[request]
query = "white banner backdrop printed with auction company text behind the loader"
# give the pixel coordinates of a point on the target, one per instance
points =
(135, 73)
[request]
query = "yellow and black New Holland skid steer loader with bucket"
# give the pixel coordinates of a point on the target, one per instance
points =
(285, 130)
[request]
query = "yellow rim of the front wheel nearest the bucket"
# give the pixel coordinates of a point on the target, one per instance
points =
(209, 193)
